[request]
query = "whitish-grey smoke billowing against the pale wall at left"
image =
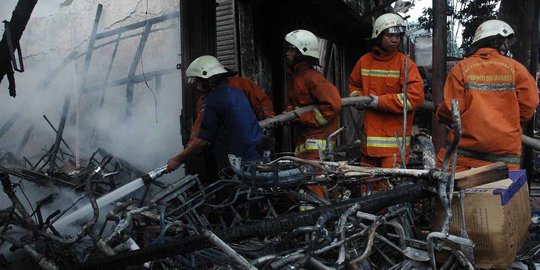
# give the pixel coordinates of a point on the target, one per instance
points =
(54, 47)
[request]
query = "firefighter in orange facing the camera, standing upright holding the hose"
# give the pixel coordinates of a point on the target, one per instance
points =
(380, 74)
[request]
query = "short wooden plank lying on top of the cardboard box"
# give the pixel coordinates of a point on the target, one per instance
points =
(481, 175)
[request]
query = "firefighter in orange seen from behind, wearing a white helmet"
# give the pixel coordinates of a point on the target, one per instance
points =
(496, 97)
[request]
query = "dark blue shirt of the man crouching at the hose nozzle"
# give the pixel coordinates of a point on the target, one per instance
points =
(229, 123)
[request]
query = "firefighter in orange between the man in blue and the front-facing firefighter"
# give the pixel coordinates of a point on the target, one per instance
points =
(307, 86)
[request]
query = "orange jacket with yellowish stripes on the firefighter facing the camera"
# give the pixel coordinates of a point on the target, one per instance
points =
(382, 74)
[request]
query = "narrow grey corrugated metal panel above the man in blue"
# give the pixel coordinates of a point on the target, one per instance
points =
(226, 33)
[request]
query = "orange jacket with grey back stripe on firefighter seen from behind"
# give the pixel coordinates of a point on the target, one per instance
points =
(496, 95)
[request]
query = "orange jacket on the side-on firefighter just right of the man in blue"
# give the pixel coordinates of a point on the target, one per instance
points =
(307, 86)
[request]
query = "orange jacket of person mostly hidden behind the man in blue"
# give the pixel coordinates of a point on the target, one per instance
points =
(260, 102)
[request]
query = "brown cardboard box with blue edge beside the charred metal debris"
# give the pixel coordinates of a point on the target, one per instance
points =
(497, 217)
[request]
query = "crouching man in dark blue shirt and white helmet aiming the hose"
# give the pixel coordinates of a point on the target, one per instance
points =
(228, 123)
